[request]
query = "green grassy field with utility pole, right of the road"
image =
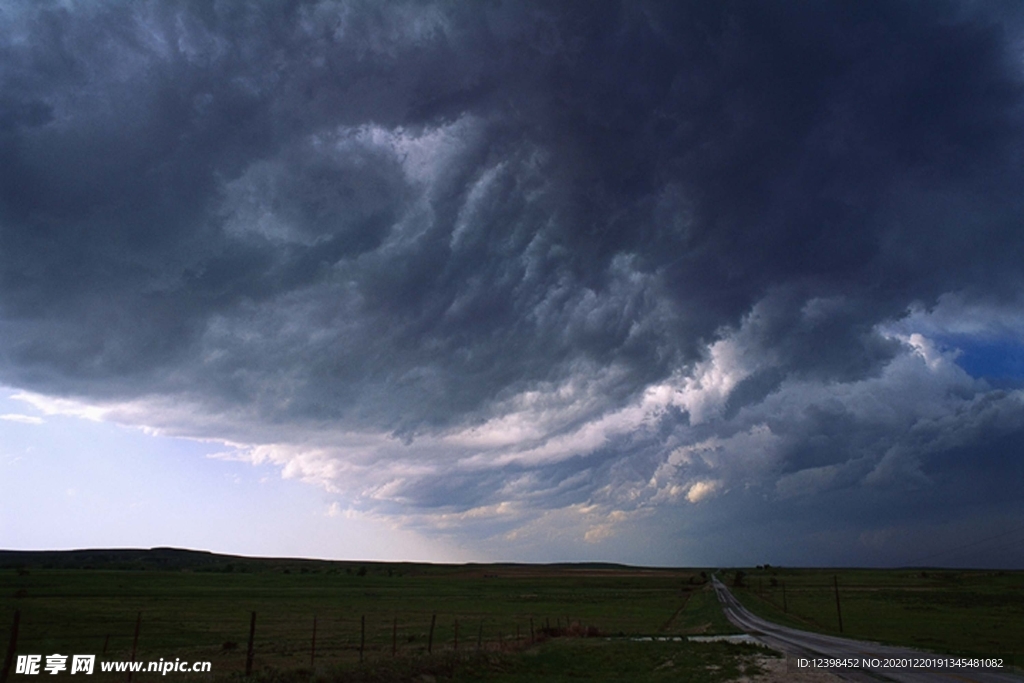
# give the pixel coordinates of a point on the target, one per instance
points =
(943, 611)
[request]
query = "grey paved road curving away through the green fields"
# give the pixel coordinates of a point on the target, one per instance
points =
(805, 645)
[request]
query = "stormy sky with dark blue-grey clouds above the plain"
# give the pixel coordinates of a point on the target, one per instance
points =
(686, 284)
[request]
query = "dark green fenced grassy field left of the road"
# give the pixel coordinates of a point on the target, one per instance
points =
(487, 615)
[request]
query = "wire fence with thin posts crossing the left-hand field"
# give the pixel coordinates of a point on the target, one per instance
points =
(259, 642)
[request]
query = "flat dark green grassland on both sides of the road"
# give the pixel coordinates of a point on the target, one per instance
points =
(496, 623)
